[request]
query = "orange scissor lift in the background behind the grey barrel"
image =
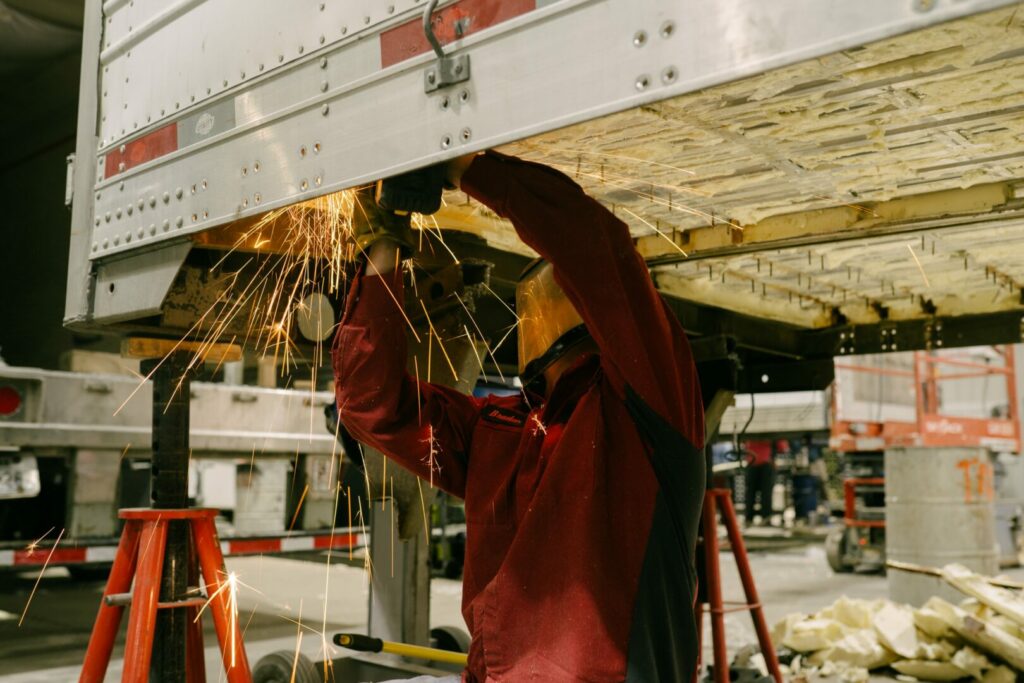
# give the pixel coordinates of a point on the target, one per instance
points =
(912, 400)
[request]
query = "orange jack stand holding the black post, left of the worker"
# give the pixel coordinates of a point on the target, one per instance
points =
(141, 556)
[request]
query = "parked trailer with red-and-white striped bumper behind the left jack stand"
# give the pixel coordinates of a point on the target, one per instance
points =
(75, 448)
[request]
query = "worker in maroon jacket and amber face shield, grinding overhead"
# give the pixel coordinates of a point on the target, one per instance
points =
(583, 494)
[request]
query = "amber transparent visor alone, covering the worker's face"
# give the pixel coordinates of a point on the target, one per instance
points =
(545, 315)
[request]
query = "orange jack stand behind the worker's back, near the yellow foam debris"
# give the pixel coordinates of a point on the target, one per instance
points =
(721, 500)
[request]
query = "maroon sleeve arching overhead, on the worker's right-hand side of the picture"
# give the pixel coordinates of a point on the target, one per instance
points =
(595, 263)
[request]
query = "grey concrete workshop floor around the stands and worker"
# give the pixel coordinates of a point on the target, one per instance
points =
(51, 644)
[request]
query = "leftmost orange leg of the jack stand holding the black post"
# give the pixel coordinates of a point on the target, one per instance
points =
(105, 630)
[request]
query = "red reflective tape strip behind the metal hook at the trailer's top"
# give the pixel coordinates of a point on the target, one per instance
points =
(459, 20)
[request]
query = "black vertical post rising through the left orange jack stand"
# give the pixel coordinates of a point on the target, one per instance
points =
(170, 490)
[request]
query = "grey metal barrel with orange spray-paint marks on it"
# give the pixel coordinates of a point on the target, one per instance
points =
(940, 510)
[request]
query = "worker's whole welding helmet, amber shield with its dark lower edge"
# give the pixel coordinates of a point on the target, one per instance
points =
(549, 325)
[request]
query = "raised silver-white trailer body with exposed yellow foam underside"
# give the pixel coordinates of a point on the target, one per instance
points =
(772, 158)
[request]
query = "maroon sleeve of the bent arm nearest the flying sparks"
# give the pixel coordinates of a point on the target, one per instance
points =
(424, 428)
